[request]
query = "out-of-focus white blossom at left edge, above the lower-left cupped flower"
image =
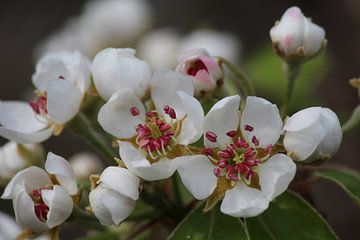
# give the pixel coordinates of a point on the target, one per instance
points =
(14, 158)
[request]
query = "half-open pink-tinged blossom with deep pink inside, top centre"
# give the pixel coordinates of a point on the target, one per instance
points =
(203, 70)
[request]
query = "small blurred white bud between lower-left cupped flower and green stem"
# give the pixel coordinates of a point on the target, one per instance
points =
(85, 164)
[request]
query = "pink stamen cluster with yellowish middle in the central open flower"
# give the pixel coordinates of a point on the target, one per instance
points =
(157, 136)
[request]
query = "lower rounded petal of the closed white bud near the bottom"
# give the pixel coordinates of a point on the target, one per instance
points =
(109, 206)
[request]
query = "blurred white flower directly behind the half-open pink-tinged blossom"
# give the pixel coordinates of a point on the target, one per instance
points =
(217, 43)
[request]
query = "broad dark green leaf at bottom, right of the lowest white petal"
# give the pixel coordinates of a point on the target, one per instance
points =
(289, 217)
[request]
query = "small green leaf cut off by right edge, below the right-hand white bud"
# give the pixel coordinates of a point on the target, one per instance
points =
(347, 179)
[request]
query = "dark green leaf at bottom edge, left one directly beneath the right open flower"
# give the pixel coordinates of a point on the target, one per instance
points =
(210, 226)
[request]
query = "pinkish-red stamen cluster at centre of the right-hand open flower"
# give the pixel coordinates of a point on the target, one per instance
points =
(238, 161)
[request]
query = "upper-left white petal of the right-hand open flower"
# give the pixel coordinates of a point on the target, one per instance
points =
(222, 118)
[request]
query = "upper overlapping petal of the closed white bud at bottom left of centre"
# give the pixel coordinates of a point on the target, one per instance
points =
(122, 181)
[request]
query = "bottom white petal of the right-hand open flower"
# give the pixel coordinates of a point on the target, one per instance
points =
(243, 201)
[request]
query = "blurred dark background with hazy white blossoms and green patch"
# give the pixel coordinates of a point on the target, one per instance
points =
(161, 29)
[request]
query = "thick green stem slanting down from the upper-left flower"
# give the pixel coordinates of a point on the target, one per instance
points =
(81, 126)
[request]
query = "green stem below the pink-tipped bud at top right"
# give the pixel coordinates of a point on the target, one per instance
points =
(291, 72)
